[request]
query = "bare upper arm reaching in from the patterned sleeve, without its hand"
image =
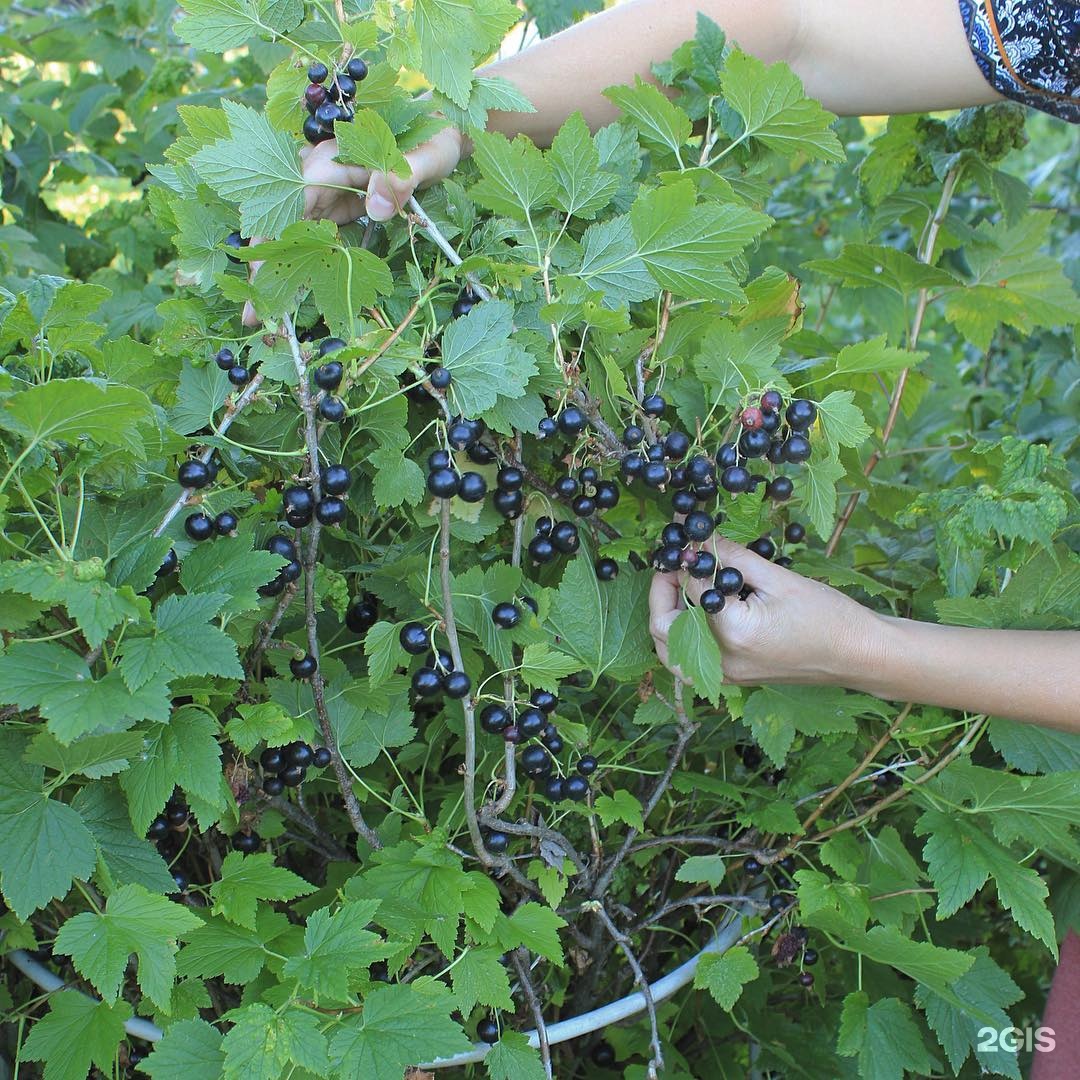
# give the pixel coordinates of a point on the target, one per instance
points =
(857, 58)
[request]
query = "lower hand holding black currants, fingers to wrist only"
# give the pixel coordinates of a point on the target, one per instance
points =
(791, 629)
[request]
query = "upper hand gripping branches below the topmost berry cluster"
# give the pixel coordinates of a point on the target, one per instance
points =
(339, 193)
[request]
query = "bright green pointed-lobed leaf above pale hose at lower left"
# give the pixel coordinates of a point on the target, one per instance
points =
(136, 922)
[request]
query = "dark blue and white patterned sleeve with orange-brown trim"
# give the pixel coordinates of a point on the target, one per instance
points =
(1030, 51)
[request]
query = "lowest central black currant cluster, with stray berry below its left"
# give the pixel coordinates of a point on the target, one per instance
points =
(537, 759)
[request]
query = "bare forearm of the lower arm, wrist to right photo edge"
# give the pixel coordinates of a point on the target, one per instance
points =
(1023, 676)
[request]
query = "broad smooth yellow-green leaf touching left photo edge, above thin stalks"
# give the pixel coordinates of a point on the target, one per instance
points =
(71, 411)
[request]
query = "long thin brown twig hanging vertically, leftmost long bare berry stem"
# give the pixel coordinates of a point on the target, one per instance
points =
(310, 561)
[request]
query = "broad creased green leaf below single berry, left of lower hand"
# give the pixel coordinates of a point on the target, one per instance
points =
(603, 625)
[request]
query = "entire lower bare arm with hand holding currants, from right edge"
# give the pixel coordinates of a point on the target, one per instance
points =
(795, 630)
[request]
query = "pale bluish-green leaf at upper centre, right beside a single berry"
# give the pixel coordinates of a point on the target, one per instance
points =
(485, 363)
